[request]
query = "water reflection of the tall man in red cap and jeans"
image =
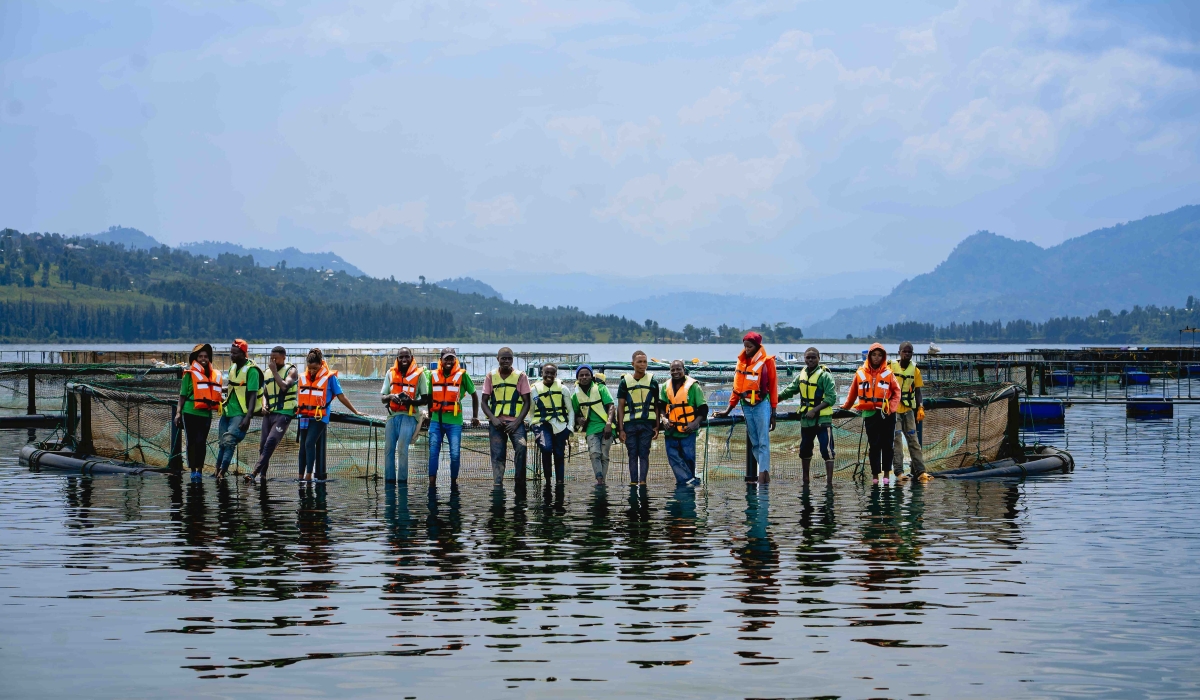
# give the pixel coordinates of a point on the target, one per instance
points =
(759, 561)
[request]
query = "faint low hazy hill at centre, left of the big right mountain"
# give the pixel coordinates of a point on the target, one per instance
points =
(704, 309)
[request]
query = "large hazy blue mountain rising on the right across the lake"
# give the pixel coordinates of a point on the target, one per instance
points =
(992, 278)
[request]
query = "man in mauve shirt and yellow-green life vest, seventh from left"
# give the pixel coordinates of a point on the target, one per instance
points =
(506, 405)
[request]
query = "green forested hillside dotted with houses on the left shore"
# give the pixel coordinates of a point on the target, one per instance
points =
(77, 289)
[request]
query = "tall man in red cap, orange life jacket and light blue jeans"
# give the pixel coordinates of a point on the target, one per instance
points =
(755, 388)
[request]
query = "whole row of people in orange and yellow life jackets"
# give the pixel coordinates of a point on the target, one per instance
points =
(887, 396)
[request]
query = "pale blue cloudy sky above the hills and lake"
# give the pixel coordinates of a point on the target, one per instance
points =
(557, 136)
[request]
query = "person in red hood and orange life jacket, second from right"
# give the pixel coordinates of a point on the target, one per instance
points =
(875, 394)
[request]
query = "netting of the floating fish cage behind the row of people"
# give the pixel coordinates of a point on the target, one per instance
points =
(127, 415)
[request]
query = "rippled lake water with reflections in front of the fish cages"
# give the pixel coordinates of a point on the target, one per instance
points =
(1081, 585)
